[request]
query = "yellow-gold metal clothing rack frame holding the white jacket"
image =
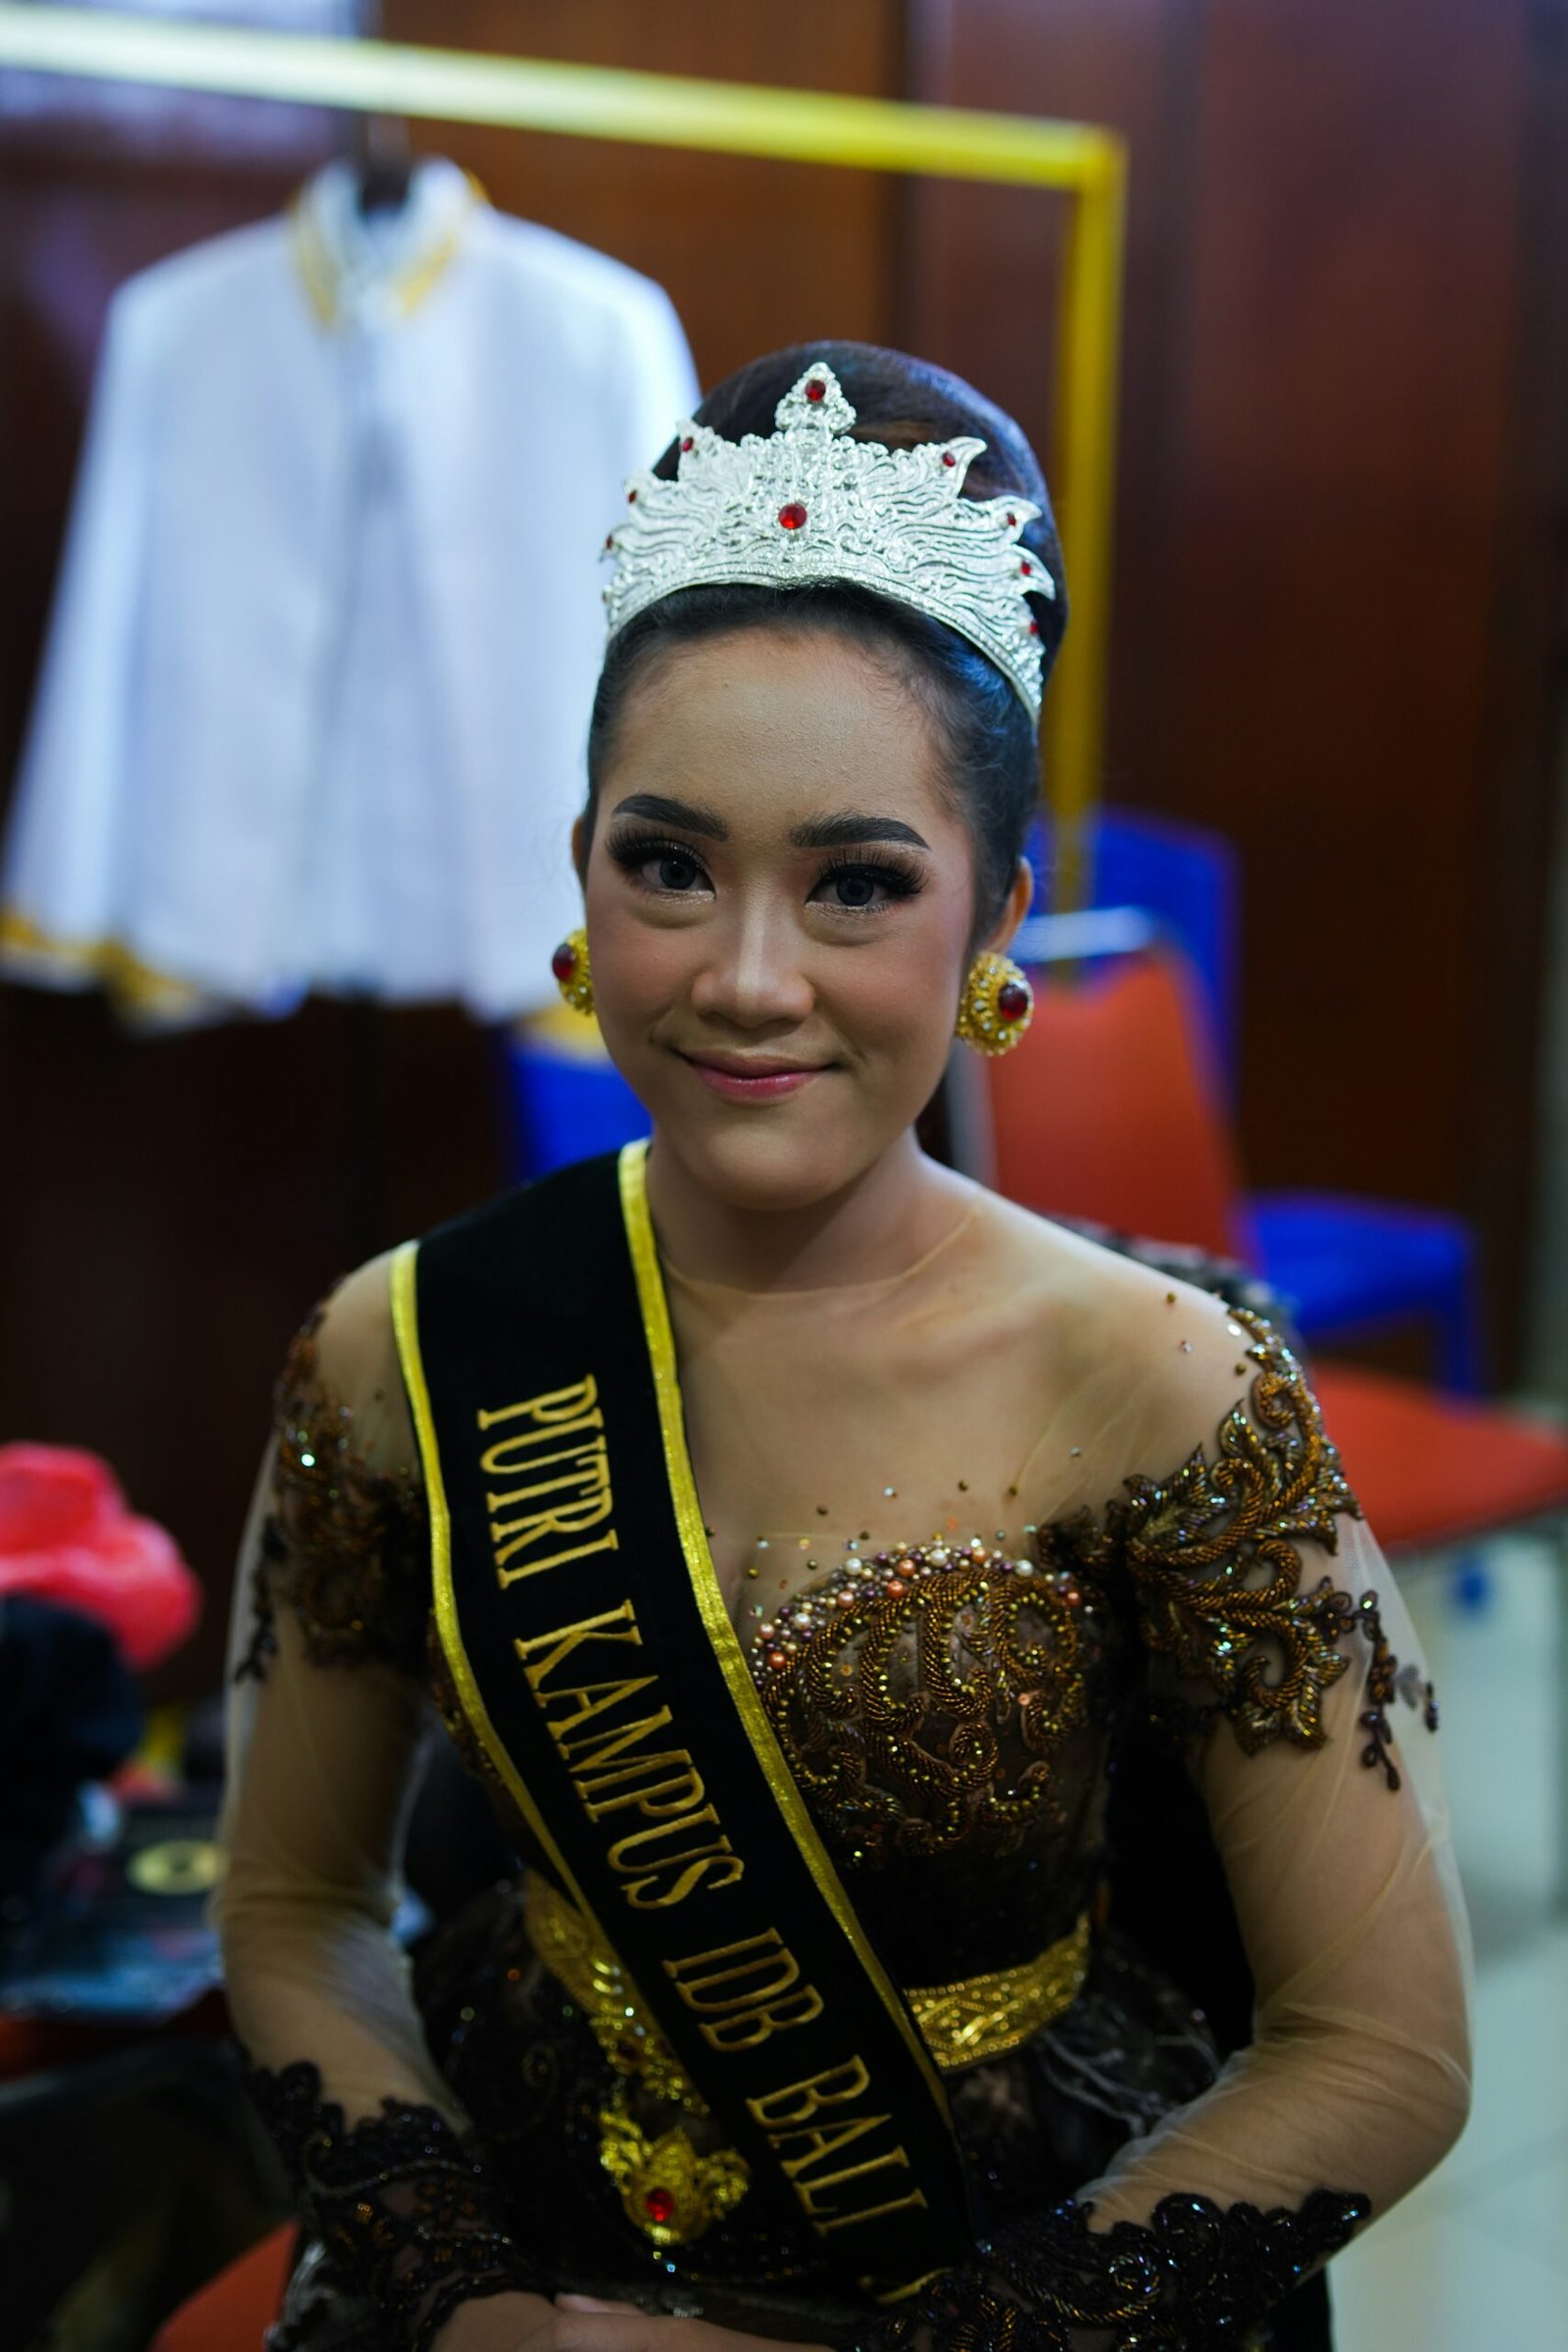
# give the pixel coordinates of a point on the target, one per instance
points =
(652, 109)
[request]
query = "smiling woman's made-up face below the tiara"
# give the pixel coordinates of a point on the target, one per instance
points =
(779, 911)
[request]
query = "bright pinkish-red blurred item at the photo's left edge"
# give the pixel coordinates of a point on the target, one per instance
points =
(67, 1535)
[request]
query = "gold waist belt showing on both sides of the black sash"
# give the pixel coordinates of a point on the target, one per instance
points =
(984, 2017)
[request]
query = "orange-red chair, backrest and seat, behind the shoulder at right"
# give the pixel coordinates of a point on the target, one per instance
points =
(1111, 1109)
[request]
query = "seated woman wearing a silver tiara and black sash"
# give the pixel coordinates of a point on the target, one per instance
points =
(803, 1546)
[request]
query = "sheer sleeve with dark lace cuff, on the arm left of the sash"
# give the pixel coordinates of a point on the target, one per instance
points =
(328, 1732)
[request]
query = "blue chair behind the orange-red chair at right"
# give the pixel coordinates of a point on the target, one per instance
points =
(1348, 1267)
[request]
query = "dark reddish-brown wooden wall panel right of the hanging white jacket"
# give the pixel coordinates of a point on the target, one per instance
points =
(1334, 608)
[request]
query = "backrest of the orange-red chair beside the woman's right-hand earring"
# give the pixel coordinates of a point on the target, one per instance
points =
(1111, 1109)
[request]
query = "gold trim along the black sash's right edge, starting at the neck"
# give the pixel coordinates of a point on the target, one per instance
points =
(716, 1615)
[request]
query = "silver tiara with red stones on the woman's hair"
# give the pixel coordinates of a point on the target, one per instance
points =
(812, 505)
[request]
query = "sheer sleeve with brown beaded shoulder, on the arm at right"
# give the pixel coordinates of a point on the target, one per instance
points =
(1285, 1662)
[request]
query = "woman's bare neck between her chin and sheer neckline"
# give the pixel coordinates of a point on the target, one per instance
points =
(880, 1224)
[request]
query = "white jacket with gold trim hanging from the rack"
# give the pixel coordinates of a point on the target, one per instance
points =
(330, 615)
